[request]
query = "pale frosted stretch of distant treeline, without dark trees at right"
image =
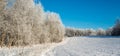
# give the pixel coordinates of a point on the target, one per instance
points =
(70, 32)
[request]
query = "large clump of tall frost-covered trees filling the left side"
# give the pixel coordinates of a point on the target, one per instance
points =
(24, 23)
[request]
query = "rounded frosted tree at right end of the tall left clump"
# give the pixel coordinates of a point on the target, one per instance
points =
(55, 27)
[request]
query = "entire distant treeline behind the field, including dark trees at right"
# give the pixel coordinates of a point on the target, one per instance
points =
(113, 31)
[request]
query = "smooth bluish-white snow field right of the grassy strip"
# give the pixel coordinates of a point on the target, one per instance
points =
(84, 46)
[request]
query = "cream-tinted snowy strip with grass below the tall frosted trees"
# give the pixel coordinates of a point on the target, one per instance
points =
(34, 50)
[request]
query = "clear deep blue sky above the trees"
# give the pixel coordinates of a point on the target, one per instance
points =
(85, 13)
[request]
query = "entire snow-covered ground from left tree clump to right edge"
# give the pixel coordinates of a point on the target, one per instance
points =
(75, 46)
